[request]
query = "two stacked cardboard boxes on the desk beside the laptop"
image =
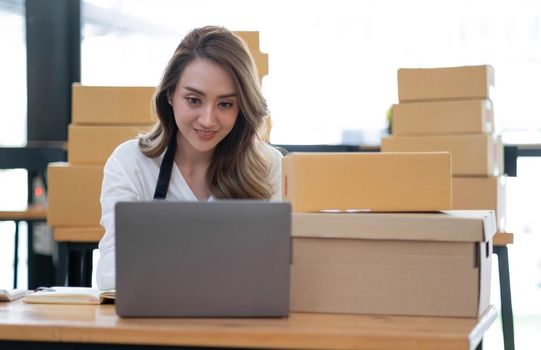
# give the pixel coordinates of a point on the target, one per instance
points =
(368, 237)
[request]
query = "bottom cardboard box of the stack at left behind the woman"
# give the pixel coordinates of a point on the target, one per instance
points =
(74, 194)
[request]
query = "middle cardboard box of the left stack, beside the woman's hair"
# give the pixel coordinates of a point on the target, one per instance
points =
(94, 144)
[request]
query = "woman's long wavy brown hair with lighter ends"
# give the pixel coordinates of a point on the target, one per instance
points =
(237, 168)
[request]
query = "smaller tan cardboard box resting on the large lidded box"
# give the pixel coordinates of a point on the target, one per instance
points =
(367, 181)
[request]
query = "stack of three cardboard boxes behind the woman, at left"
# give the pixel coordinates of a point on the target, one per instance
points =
(102, 118)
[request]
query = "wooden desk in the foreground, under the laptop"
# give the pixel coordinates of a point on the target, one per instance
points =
(100, 325)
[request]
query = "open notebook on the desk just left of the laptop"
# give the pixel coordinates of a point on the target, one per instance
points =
(70, 295)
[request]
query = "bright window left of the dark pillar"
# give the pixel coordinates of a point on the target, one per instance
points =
(13, 187)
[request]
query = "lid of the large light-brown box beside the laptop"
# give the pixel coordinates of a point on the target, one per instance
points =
(453, 225)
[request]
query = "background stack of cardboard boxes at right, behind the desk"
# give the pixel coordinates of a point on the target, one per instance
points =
(450, 109)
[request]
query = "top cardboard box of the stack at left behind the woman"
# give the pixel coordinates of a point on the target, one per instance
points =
(111, 105)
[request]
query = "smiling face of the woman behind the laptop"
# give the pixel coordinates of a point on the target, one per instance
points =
(205, 105)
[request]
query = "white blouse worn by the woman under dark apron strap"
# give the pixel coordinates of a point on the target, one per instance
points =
(129, 175)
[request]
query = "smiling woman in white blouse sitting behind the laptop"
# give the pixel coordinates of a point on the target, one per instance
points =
(205, 144)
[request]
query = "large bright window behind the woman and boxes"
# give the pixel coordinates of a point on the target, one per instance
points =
(332, 64)
